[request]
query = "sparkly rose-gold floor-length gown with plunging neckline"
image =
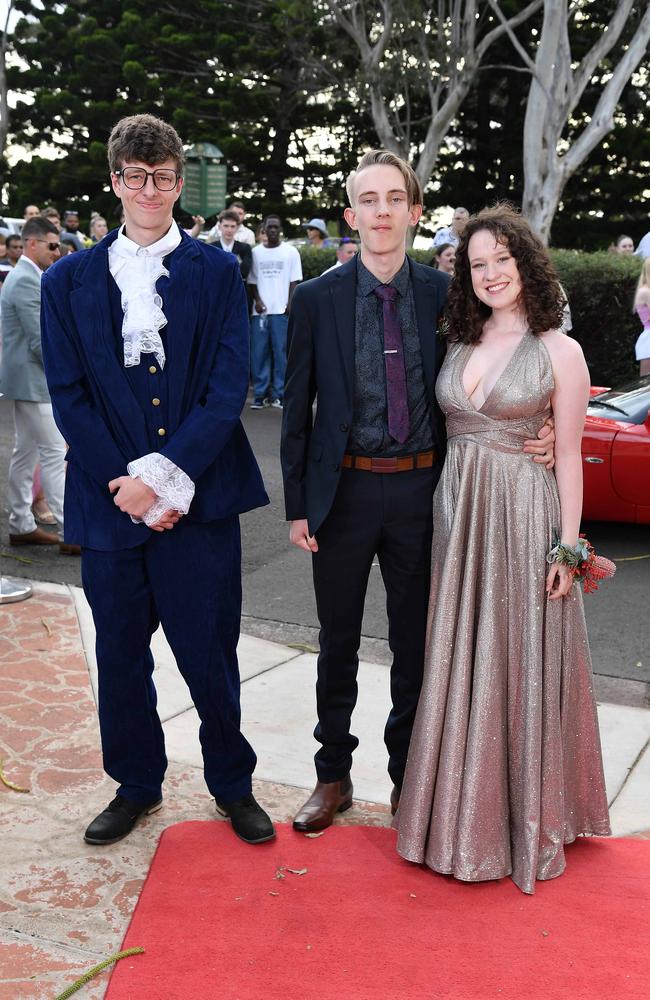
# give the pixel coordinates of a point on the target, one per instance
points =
(505, 765)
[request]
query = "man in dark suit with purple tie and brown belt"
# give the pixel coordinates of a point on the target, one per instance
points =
(359, 476)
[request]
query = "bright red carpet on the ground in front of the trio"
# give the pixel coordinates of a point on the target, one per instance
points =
(361, 924)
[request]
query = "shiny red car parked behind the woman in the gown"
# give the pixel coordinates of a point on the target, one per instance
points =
(616, 454)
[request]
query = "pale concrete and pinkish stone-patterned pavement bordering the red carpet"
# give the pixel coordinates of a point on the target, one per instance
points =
(65, 906)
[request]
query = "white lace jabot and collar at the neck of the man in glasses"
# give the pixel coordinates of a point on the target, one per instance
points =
(136, 270)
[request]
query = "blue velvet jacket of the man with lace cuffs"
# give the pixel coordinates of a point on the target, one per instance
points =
(102, 419)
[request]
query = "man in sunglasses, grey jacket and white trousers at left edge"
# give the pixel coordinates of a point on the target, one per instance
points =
(22, 379)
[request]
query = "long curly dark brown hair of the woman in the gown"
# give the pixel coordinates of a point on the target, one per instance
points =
(542, 299)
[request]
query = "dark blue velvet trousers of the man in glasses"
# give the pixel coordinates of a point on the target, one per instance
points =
(189, 581)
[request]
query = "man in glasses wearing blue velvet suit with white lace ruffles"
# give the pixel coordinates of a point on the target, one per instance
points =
(145, 343)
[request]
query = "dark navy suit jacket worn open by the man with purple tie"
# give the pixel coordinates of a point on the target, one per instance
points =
(321, 364)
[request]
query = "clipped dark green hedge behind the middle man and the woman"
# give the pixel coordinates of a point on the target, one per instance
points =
(600, 288)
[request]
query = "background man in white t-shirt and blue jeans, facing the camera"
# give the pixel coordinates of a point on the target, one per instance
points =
(276, 271)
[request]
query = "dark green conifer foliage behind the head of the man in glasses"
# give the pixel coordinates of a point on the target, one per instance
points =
(260, 78)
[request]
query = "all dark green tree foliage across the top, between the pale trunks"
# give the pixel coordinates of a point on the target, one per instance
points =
(277, 87)
